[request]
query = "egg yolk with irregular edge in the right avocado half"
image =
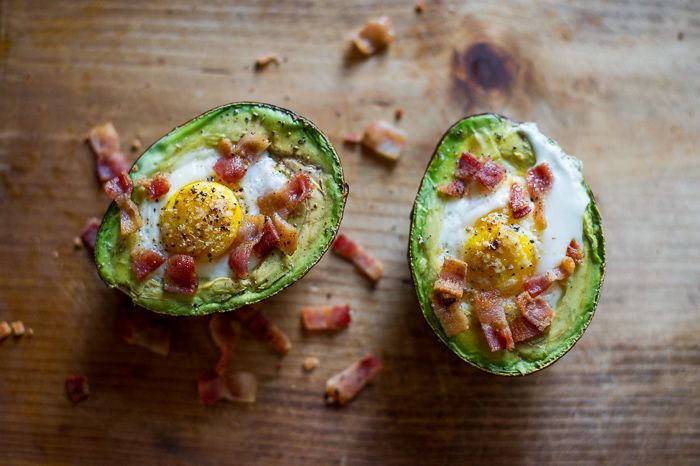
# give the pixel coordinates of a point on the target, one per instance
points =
(499, 254)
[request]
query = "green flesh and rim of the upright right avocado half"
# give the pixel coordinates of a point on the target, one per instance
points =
(498, 137)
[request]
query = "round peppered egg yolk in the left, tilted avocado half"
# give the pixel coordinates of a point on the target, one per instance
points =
(200, 220)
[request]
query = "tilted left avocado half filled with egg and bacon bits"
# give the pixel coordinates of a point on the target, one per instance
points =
(211, 213)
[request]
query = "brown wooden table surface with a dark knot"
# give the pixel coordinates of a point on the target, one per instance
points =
(616, 83)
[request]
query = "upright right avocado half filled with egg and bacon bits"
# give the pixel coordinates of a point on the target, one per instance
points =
(501, 253)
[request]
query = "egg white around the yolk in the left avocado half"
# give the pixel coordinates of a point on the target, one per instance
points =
(262, 177)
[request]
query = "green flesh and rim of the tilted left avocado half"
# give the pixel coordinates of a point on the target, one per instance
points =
(291, 136)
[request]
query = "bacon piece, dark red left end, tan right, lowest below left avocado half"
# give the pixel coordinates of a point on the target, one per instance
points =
(238, 386)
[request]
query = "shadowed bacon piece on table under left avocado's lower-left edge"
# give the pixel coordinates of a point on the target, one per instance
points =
(141, 328)
